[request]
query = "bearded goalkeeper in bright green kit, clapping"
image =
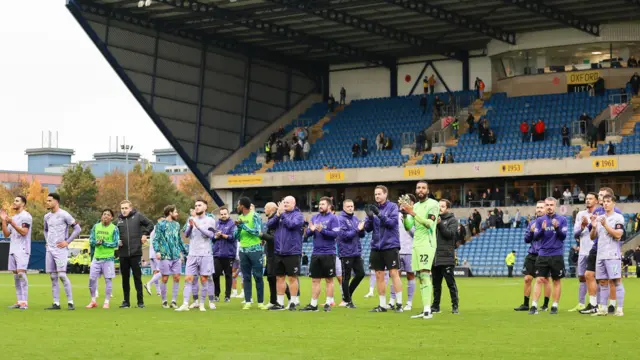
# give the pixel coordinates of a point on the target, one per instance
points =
(423, 215)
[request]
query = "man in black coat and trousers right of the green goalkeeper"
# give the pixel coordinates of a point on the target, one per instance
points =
(444, 263)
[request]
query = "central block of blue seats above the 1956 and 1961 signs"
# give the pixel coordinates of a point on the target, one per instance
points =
(367, 118)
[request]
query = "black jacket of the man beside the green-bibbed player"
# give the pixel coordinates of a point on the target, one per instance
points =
(131, 229)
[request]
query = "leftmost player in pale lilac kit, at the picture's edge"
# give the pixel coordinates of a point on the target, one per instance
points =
(18, 230)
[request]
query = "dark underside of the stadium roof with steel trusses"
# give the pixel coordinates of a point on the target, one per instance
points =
(340, 31)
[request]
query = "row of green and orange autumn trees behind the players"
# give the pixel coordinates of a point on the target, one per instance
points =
(85, 197)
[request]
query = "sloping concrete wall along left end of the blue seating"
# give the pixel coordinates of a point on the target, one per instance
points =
(255, 143)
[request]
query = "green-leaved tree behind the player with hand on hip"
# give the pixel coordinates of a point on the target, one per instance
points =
(78, 192)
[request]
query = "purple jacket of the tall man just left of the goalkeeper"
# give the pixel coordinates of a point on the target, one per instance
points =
(384, 226)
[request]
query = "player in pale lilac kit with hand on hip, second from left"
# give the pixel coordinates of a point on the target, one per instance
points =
(56, 234)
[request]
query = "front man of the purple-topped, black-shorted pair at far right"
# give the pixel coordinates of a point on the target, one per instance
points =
(551, 230)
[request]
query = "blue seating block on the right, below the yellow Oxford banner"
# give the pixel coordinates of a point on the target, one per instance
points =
(505, 116)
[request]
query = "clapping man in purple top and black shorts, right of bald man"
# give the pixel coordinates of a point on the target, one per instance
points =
(324, 227)
